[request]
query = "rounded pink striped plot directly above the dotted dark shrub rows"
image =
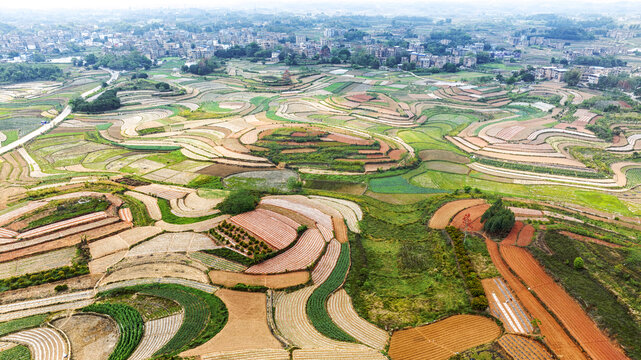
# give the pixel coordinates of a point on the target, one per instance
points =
(268, 226)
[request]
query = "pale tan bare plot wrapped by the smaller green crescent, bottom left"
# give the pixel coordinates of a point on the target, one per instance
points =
(92, 337)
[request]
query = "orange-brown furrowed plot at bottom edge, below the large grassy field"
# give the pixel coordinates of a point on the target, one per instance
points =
(443, 339)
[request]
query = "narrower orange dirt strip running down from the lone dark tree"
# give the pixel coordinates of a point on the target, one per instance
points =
(555, 336)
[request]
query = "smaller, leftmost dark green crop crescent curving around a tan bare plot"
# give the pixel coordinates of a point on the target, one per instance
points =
(130, 327)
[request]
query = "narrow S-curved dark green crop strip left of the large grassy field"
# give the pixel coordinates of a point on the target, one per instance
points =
(317, 302)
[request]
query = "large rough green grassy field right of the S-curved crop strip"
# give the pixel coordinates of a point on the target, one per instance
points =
(402, 274)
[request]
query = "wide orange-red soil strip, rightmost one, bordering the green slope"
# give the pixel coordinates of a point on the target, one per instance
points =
(568, 311)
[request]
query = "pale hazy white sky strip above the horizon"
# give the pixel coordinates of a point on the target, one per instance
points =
(315, 4)
